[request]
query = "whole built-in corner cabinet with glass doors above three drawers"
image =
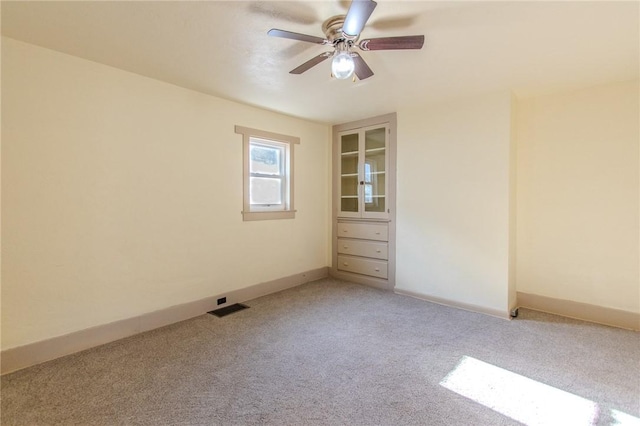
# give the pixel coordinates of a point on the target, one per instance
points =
(364, 201)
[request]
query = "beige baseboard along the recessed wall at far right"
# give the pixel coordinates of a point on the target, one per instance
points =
(582, 311)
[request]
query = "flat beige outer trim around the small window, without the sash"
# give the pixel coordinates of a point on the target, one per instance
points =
(247, 213)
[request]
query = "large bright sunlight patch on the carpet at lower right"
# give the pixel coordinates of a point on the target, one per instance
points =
(518, 397)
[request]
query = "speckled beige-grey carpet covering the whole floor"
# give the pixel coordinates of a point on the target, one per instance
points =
(336, 353)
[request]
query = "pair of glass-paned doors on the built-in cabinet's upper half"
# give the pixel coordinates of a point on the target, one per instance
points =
(363, 168)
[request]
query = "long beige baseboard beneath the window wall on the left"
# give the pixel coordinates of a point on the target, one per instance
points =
(20, 357)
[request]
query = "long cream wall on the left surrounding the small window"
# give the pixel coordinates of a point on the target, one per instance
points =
(121, 195)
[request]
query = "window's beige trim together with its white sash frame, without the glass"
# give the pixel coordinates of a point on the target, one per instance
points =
(285, 143)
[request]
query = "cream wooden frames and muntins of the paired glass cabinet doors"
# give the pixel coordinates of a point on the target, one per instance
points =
(361, 156)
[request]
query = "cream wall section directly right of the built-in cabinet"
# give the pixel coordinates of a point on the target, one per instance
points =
(454, 202)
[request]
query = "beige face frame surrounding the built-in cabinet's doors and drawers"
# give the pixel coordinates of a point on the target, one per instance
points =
(389, 120)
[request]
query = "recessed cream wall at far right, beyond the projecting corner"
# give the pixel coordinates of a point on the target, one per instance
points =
(578, 196)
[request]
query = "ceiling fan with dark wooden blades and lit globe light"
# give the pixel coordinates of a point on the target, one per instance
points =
(342, 32)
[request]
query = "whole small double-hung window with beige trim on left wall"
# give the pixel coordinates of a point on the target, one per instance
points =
(268, 174)
